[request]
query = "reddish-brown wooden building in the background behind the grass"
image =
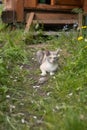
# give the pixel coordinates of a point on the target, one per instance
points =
(44, 11)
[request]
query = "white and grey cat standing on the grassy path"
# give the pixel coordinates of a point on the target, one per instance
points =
(48, 61)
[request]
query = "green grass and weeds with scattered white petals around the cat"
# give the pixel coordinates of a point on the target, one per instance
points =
(58, 104)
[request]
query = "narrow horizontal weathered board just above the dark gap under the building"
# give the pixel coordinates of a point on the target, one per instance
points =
(69, 21)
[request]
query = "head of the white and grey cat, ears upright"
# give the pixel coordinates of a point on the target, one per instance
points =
(52, 56)
